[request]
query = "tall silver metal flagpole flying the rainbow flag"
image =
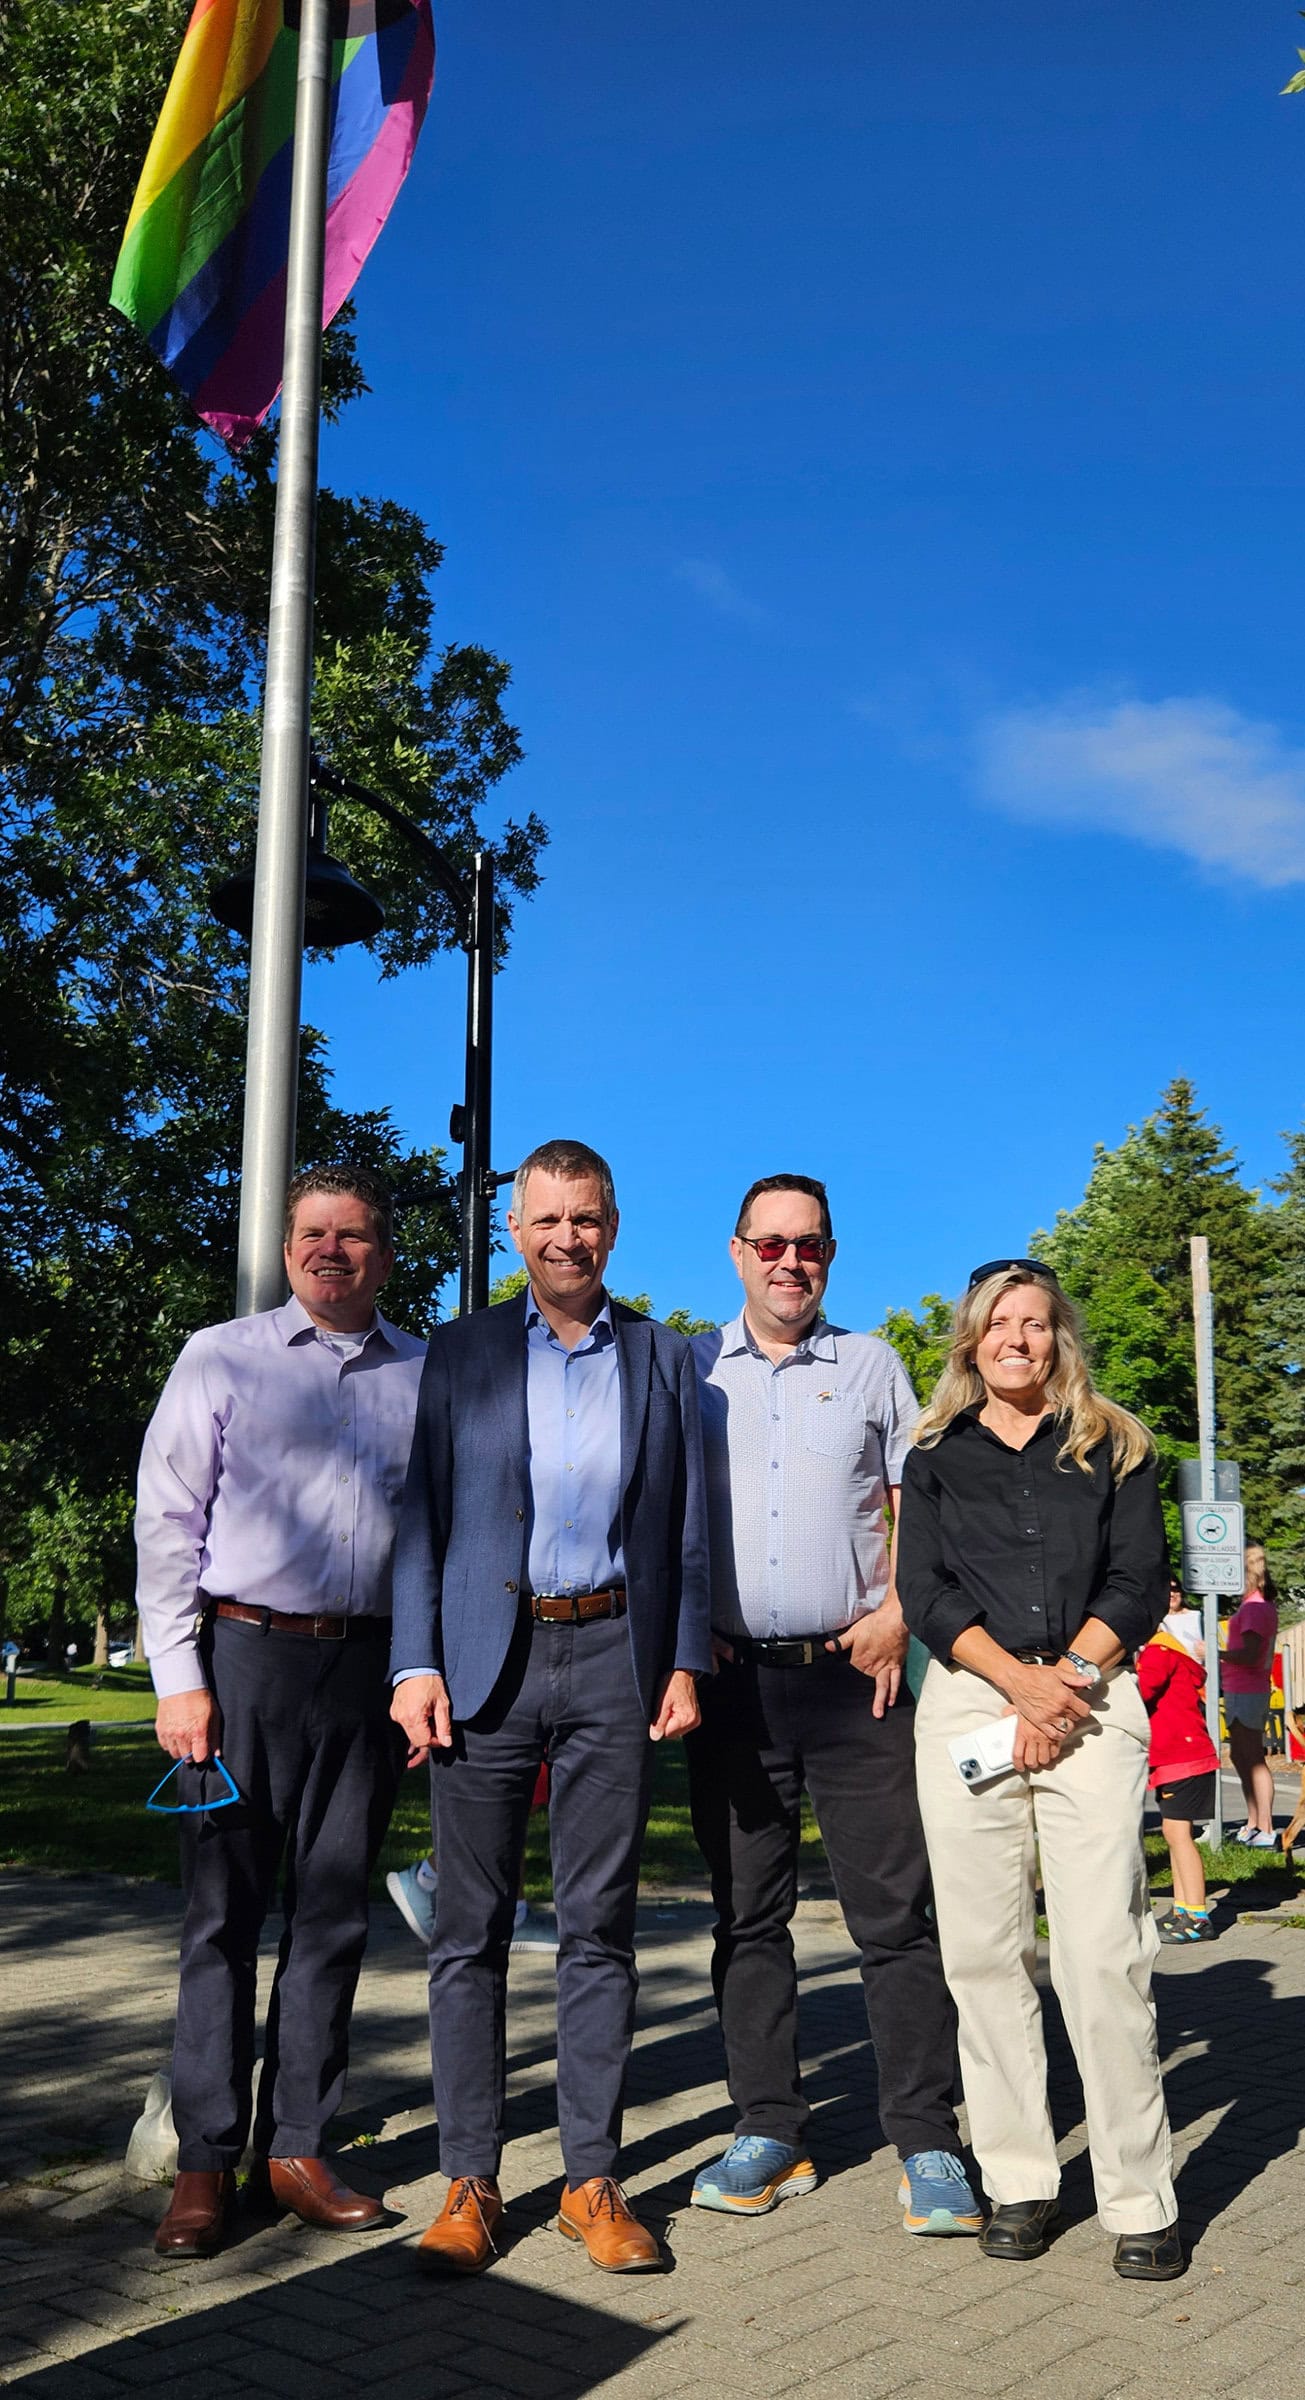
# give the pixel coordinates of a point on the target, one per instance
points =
(272, 1069)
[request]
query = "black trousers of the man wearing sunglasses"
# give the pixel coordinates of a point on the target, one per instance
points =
(766, 1734)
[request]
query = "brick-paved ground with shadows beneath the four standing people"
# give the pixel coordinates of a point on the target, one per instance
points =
(826, 2296)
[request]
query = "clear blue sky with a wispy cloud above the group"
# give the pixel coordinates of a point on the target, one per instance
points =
(874, 438)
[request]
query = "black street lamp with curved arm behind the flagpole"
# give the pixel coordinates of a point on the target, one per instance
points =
(339, 911)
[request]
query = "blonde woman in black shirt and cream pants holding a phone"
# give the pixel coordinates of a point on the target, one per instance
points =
(1033, 1564)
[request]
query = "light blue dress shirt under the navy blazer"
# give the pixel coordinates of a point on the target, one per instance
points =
(575, 1422)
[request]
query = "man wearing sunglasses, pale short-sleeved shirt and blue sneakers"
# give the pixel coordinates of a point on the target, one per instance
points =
(805, 1429)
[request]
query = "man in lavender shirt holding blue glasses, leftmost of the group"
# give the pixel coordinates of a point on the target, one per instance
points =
(270, 1494)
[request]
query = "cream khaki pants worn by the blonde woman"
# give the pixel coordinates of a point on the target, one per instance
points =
(1086, 1816)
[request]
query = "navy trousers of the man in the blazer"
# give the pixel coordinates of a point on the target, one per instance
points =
(567, 1696)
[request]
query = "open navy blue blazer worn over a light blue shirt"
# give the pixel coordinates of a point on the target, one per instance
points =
(464, 1532)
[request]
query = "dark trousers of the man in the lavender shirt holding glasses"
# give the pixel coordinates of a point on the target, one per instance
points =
(318, 1763)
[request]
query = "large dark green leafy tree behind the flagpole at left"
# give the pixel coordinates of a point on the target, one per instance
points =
(133, 606)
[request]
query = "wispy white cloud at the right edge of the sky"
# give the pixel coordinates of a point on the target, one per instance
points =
(1191, 776)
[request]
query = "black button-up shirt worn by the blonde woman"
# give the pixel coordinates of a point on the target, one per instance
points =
(1023, 1547)
